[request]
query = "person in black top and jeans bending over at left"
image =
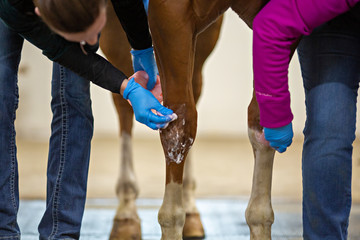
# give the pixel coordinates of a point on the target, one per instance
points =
(69, 39)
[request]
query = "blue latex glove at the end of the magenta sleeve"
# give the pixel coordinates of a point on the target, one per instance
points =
(279, 138)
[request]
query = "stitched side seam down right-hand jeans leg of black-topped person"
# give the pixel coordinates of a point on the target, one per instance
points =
(64, 132)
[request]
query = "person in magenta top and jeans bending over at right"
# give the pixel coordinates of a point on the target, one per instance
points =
(330, 63)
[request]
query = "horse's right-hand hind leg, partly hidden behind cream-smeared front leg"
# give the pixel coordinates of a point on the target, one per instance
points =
(205, 44)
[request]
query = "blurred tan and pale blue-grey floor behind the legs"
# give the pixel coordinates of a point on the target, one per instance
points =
(223, 171)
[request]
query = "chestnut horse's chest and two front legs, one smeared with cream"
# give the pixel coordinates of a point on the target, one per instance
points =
(175, 26)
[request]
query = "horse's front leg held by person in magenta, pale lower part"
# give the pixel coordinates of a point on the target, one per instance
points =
(259, 212)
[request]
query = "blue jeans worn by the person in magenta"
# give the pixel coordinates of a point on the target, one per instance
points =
(330, 65)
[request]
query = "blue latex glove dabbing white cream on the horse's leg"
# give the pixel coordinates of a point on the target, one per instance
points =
(142, 102)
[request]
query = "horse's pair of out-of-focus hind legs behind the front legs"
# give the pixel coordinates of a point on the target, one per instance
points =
(114, 45)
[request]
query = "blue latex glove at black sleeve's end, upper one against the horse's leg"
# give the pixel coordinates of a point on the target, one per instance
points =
(144, 60)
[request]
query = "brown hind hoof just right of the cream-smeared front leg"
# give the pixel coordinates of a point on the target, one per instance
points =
(193, 228)
